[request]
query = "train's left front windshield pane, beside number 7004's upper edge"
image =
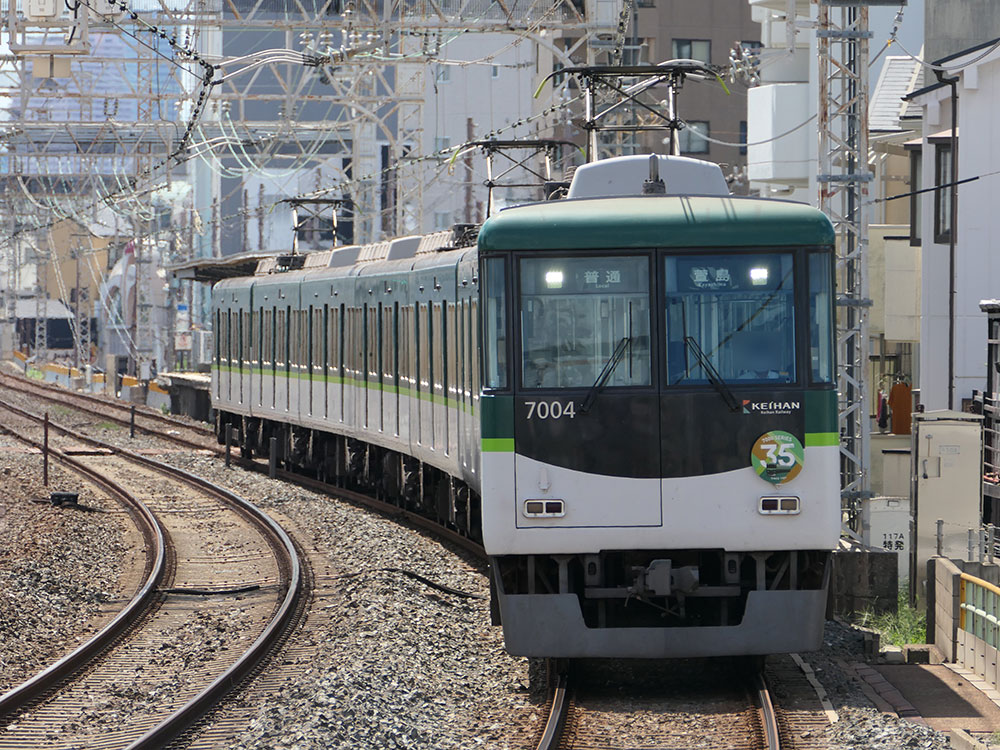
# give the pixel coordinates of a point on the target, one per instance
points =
(577, 314)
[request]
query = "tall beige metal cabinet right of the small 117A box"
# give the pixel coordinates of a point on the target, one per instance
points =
(947, 482)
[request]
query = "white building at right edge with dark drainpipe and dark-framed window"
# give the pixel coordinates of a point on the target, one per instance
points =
(977, 243)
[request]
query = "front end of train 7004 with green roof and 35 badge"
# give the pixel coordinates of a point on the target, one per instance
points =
(659, 419)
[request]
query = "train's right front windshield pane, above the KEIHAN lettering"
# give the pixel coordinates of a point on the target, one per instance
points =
(731, 313)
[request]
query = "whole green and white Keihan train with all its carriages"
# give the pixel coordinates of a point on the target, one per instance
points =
(628, 395)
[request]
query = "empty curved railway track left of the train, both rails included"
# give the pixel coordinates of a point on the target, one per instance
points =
(218, 570)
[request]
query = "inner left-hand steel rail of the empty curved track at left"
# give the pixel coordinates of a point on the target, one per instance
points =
(155, 538)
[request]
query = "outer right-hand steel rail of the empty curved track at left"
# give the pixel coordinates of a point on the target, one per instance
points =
(188, 714)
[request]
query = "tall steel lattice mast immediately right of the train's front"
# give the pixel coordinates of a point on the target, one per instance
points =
(843, 180)
